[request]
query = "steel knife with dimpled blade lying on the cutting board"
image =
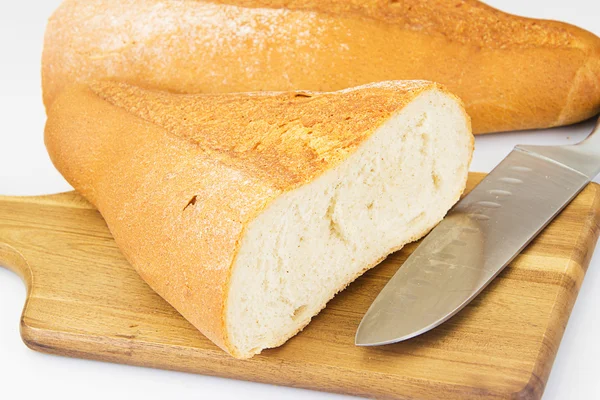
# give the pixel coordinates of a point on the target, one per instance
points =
(480, 235)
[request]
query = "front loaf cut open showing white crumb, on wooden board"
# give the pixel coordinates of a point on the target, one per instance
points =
(249, 211)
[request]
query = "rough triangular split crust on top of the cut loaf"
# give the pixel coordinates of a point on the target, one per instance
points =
(259, 138)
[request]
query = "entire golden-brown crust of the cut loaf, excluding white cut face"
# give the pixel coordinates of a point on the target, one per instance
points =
(179, 177)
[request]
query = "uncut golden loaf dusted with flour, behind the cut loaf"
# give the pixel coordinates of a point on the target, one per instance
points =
(511, 72)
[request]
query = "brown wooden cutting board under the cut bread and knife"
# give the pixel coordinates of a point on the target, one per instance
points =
(84, 300)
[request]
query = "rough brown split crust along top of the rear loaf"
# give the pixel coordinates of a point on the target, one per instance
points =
(464, 21)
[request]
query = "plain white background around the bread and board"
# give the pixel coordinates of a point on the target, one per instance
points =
(26, 170)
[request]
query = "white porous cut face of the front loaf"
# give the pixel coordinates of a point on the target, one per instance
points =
(311, 242)
